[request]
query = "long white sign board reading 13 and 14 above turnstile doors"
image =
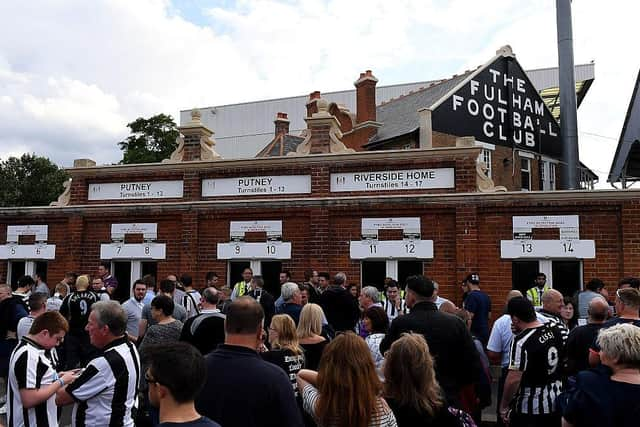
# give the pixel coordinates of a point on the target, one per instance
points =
(540, 249)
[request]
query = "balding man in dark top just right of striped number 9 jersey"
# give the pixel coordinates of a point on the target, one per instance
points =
(581, 338)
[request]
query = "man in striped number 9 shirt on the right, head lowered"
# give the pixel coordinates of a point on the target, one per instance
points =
(533, 381)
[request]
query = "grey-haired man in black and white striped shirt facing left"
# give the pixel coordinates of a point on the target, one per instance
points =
(106, 392)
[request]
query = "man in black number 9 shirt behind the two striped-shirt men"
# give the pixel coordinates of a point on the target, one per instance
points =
(76, 308)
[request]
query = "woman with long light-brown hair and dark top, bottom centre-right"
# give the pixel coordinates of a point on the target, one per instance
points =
(410, 387)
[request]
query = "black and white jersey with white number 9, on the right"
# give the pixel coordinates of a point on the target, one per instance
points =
(537, 353)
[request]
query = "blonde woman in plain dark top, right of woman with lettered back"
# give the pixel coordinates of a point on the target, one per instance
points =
(310, 334)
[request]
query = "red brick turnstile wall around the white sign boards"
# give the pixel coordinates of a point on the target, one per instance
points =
(466, 229)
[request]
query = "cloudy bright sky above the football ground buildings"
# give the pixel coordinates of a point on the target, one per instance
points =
(73, 73)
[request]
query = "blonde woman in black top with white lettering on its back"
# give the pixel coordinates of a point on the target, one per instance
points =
(285, 350)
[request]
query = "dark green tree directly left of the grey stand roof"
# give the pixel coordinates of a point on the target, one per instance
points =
(152, 140)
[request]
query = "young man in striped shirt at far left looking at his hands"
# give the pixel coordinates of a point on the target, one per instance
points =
(33, 381)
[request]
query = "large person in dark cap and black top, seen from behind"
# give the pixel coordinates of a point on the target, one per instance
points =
(449, 340)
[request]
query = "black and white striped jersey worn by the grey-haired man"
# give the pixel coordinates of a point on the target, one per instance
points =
(106, 392)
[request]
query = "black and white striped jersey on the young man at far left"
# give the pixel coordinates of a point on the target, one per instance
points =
(30, 368)
